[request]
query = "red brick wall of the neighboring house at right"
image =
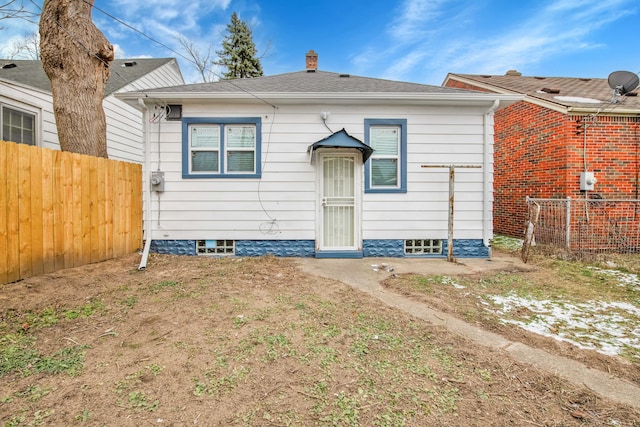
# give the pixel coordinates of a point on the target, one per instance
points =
(539, 153)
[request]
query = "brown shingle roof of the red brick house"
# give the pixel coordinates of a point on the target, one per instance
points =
(564, 91)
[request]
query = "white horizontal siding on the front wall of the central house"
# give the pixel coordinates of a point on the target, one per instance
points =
(282, 205)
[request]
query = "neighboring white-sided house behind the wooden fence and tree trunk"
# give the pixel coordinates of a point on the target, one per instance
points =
(26, 103)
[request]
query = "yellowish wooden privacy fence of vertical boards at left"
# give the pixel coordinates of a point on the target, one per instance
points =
(61, 210)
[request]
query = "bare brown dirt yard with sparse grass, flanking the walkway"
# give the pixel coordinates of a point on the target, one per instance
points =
(257, 342)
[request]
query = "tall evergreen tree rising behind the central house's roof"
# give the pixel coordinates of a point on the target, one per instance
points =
(238, 54)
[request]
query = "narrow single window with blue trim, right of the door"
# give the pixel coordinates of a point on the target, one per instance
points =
(386, 169)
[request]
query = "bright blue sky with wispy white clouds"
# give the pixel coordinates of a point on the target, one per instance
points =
(411, 40)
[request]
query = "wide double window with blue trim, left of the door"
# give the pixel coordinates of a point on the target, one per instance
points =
(221, 147)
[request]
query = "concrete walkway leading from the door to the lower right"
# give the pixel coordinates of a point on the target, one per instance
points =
(360, 274)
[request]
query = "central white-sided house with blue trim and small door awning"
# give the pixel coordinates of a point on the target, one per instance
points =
(315, 163)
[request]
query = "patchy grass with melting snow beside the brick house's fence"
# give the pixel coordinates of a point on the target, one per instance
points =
(593, 306)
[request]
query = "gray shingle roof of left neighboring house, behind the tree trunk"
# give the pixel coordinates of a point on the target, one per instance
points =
(31, 73)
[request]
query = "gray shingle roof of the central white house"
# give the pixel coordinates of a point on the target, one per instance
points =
(308, 82)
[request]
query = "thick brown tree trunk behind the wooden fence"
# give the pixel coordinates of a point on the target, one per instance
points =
(76, 57)
